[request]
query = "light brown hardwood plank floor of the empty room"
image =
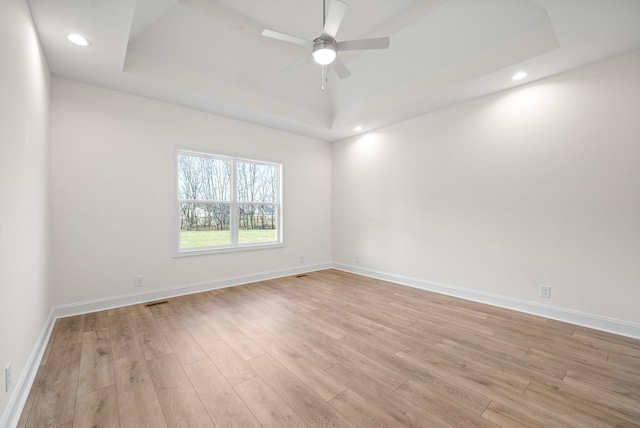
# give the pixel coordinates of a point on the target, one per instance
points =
(330, 349)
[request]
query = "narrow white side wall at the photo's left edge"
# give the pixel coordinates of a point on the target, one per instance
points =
(24, 192)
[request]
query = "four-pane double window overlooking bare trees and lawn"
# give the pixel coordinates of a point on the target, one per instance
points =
(227, 203)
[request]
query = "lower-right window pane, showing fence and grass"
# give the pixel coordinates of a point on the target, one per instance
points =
(257, 223)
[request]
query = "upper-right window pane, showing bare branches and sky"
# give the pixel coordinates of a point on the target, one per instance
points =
(257, 182)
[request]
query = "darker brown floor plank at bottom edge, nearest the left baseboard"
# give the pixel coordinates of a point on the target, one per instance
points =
(55, 399)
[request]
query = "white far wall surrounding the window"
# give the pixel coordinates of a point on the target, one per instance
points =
(113, 197)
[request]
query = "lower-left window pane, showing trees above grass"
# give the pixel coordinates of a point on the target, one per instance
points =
(204, 225)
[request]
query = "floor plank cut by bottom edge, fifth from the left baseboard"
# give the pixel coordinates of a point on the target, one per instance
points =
(213, 389)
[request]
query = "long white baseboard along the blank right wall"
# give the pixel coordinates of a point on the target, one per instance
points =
(622, 328)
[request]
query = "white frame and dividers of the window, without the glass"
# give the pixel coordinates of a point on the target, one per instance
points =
(233, 203)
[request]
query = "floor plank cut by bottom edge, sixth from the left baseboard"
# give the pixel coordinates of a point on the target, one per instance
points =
(267, 406)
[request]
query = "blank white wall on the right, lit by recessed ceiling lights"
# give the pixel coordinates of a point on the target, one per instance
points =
(536, 185)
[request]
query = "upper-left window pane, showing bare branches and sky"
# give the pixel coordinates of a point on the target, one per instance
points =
(204, 178)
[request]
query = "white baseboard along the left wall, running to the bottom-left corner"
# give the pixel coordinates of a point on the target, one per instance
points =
(17, 401)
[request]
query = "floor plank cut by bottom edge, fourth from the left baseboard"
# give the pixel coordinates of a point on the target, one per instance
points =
(179, 401)
